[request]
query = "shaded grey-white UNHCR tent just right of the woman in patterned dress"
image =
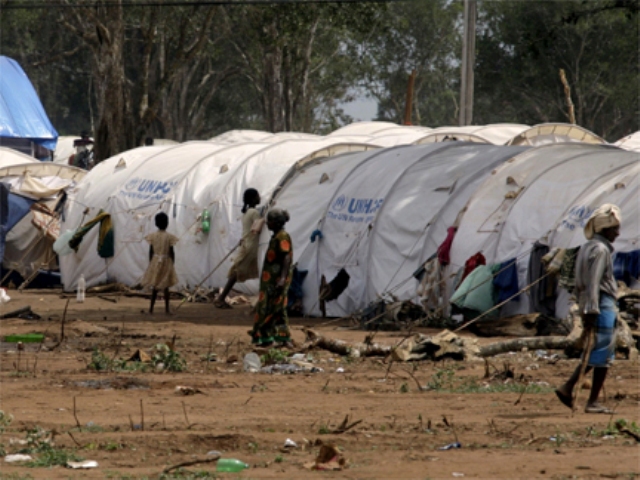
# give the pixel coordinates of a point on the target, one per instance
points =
(381, 214)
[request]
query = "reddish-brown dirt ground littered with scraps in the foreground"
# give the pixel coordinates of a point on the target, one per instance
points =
(135, 424)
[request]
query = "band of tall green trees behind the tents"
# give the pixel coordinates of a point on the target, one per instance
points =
(191, 71)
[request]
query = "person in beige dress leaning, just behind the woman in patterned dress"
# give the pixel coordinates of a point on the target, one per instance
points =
(245, 265)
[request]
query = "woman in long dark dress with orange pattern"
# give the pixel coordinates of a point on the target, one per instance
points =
(271, 324)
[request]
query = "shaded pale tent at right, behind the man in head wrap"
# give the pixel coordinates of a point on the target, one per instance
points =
(524, 199)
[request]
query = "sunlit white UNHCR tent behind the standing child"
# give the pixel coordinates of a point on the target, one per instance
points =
(181, 180)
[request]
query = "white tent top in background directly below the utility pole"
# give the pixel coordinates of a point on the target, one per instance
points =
(496, 134)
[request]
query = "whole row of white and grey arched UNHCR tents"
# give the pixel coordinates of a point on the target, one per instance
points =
(360, 201)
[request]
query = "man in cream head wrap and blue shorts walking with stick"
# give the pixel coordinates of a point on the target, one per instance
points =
(595, 291)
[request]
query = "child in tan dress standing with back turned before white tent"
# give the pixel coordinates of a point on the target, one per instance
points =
(160, 274)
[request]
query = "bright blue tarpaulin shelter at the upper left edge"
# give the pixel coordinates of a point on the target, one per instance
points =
(21, 113)
